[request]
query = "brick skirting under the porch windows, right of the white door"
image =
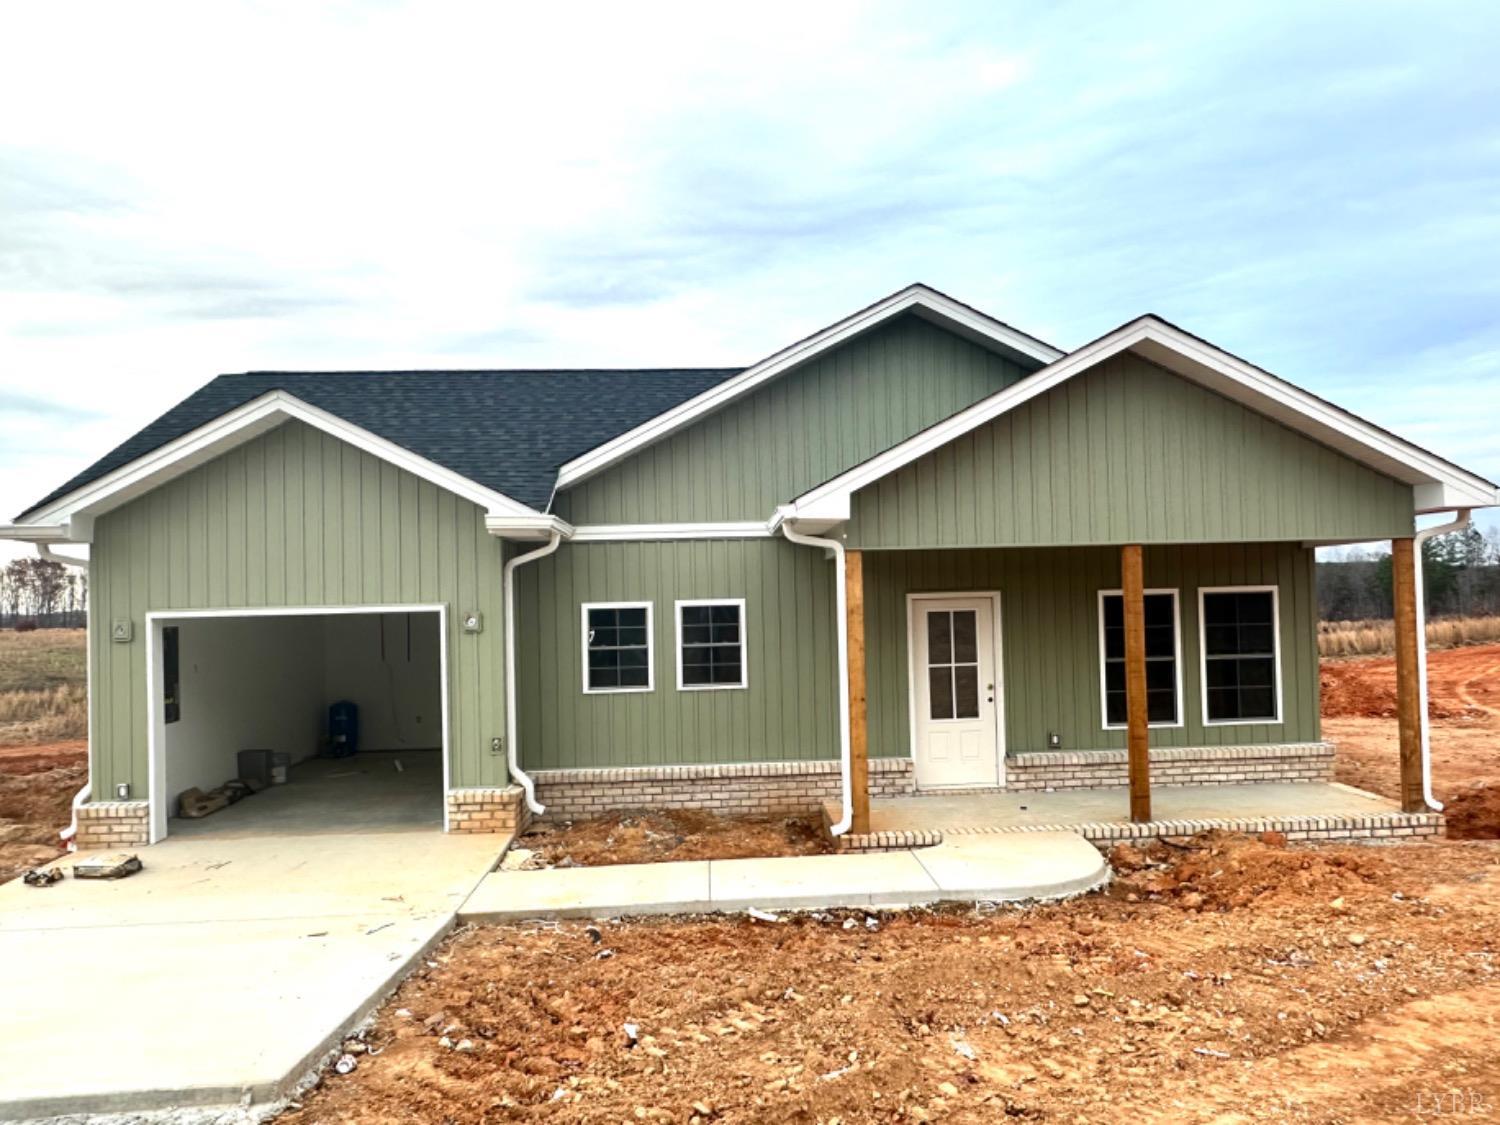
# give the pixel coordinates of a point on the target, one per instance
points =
(1174, 767)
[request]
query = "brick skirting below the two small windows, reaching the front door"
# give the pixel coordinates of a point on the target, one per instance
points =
(770, 788)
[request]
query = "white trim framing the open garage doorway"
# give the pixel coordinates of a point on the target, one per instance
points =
(157, 727)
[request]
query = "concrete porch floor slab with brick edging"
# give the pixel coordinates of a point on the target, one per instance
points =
(1306, 811)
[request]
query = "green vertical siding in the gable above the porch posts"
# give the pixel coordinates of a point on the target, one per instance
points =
(1129, 454)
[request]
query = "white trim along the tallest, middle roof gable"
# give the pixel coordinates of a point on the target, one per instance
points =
(914, 298)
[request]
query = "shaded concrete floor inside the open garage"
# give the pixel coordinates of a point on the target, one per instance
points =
(361, 794)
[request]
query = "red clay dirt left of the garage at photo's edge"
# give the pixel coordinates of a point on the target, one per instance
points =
(37, 794)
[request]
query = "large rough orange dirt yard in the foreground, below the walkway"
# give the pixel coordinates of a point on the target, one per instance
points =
(1235, 982)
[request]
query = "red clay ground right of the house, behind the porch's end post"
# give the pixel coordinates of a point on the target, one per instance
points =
(1360, 706)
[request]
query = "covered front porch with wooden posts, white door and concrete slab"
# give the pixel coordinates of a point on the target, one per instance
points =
(1115, 691)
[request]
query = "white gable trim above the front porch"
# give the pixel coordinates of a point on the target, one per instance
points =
(1438, 484)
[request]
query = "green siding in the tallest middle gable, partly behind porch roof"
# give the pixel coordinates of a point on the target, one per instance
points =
(797, 431)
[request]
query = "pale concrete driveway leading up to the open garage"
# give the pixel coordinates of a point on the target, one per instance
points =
(230, 965)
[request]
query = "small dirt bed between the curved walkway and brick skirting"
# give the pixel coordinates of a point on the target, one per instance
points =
(641, 838)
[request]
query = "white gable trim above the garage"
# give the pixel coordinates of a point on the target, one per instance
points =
(236, 428)
